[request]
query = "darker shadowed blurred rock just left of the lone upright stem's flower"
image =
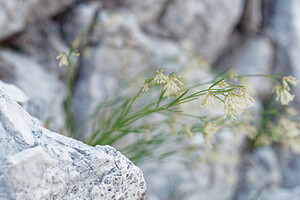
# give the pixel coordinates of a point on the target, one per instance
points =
(42, 42)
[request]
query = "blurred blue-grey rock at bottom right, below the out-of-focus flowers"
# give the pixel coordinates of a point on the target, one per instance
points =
(261, 176)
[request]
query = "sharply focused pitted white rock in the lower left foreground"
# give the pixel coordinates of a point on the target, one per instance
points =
(39, 164)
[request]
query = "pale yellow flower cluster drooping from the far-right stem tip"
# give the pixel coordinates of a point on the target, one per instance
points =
(283, 91)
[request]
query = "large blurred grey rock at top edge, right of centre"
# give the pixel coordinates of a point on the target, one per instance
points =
(208, 24)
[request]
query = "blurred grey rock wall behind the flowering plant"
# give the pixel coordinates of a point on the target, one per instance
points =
(123, 38)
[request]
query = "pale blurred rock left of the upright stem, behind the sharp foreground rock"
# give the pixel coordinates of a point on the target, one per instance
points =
(46, 93)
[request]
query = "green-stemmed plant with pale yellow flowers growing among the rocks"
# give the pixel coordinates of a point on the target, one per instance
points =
(154, 121)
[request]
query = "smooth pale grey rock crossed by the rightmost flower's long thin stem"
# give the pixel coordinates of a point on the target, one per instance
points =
(253, 55)
